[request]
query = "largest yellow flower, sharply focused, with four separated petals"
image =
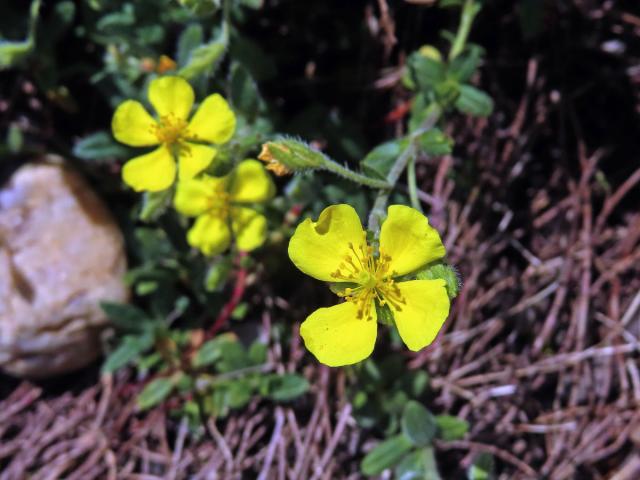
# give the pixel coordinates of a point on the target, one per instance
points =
(334, 249)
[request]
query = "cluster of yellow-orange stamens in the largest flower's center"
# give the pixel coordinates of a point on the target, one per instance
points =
(375, 281)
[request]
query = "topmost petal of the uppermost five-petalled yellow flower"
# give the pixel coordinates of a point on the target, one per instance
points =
(171, 96)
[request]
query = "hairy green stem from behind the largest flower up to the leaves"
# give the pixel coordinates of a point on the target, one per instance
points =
(378, 210)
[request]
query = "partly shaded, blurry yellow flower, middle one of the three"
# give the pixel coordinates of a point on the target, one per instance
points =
(220, 205)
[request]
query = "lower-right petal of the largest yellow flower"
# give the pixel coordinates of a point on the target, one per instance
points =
(425, 308)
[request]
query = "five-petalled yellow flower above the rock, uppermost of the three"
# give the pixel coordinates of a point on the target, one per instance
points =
(172, 99)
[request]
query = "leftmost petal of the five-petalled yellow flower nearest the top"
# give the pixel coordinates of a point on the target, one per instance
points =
(132, 125)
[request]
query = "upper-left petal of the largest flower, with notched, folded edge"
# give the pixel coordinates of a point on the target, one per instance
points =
(318, 248)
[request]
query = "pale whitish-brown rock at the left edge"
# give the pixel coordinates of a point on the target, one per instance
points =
(61, 253)
